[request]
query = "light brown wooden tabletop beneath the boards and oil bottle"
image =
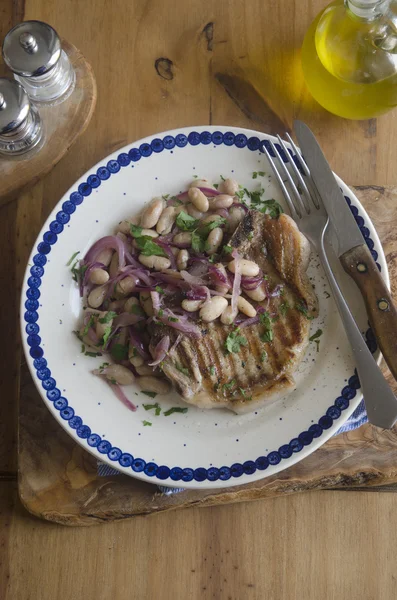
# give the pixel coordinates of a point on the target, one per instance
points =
(161, 65)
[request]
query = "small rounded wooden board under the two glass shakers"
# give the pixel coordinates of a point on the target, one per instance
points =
(62, 125)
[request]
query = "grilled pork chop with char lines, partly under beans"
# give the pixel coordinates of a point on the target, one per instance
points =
(204, 373)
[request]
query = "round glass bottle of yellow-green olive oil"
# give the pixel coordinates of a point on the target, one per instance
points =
(349, 58)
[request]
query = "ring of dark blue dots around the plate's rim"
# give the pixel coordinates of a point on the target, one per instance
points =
(43, 372)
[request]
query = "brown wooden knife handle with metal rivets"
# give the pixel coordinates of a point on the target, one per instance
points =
(382, 314)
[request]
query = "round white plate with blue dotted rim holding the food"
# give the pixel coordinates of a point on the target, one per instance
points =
(199, 449)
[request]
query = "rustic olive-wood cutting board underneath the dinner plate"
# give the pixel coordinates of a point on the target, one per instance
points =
(58, 480)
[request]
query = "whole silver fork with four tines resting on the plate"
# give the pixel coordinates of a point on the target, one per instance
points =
(308, 211)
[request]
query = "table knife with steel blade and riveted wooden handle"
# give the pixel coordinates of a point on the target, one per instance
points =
(353, 252)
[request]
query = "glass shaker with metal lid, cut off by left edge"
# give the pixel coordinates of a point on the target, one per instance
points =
(21, 129)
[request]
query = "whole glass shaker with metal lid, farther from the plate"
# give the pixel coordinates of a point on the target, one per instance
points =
(33, 52)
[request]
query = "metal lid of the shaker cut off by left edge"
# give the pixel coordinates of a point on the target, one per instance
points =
(14, 105)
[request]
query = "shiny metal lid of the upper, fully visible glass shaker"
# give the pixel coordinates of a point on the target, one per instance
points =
(31, 48)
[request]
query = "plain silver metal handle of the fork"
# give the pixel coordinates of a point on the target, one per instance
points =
(380, 402)
